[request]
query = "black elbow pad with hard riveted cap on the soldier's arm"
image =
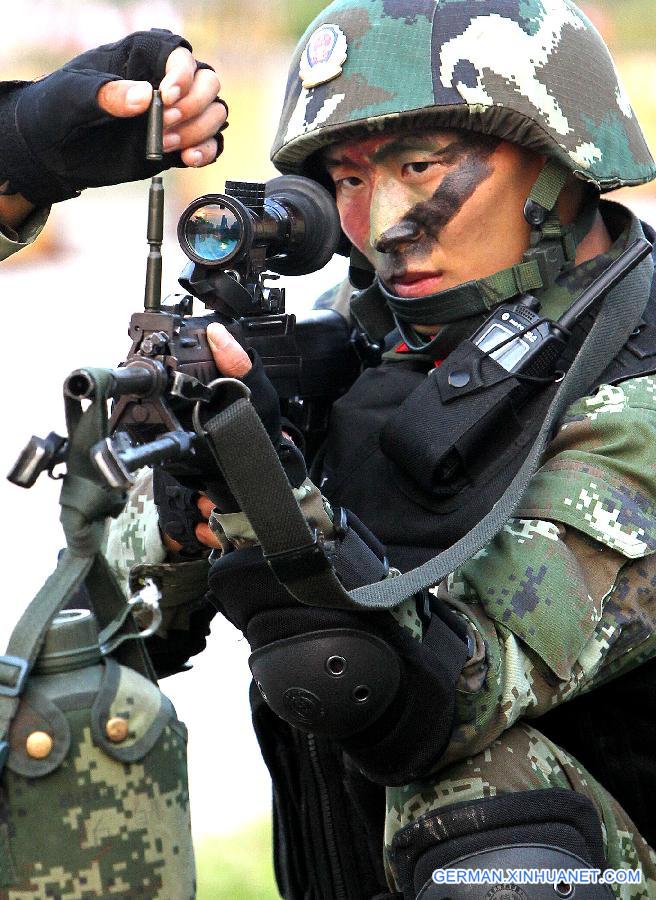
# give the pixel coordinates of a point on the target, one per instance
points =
(357, 677)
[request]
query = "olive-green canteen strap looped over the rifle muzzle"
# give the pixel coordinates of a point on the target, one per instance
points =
(86, 502)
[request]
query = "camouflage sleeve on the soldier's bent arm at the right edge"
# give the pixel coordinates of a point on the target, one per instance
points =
(560, 600)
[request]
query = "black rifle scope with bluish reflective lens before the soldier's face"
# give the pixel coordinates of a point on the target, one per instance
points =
(291, 221)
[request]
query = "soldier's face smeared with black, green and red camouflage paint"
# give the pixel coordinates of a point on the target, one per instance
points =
(432, 210)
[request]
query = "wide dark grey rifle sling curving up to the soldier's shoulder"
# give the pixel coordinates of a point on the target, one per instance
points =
(259, 484)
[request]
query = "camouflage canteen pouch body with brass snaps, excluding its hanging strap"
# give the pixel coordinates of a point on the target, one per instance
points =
(96, 817)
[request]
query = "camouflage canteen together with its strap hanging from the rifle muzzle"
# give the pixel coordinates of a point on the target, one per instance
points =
(93, 775)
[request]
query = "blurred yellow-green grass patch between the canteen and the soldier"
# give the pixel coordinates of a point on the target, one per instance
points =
(237, 866)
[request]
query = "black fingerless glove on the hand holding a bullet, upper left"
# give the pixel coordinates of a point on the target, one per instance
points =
(54, 138)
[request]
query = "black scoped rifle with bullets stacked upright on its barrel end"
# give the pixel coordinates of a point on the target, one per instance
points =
(236, 242)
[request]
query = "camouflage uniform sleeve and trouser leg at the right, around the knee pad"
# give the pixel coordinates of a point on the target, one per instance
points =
(560, 602)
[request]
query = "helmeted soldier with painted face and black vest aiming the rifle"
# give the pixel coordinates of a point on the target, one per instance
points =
(467, 144)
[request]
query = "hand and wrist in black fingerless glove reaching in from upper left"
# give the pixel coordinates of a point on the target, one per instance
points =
(83, 126)
